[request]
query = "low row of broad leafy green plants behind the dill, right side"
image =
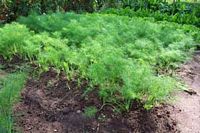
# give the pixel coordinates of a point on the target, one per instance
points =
(179, 17)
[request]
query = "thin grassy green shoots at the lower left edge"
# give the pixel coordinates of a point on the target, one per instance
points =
(9, 95)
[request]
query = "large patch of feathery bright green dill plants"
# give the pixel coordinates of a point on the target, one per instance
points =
(118, 55)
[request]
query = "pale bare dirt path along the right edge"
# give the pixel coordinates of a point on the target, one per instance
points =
(187, 107)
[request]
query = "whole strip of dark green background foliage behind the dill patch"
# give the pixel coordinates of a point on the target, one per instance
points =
(176, 11)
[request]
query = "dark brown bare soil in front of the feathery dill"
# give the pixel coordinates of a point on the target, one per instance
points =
(54, 104)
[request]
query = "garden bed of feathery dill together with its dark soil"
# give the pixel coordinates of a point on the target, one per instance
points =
(93, 72)
